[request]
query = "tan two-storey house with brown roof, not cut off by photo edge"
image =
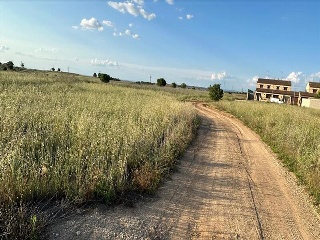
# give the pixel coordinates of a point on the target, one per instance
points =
(268, 89)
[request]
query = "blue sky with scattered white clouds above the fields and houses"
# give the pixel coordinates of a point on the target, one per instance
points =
(194, 42)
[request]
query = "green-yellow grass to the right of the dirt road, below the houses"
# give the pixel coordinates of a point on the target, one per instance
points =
(292, 132)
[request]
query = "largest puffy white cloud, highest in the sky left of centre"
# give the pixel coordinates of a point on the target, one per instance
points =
(131, 8)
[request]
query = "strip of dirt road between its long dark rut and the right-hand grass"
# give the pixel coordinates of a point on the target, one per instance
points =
(284, 209)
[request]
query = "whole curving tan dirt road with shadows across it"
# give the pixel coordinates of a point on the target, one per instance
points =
(229, 185)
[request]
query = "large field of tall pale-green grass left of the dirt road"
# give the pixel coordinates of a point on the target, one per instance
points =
(64, 136)
